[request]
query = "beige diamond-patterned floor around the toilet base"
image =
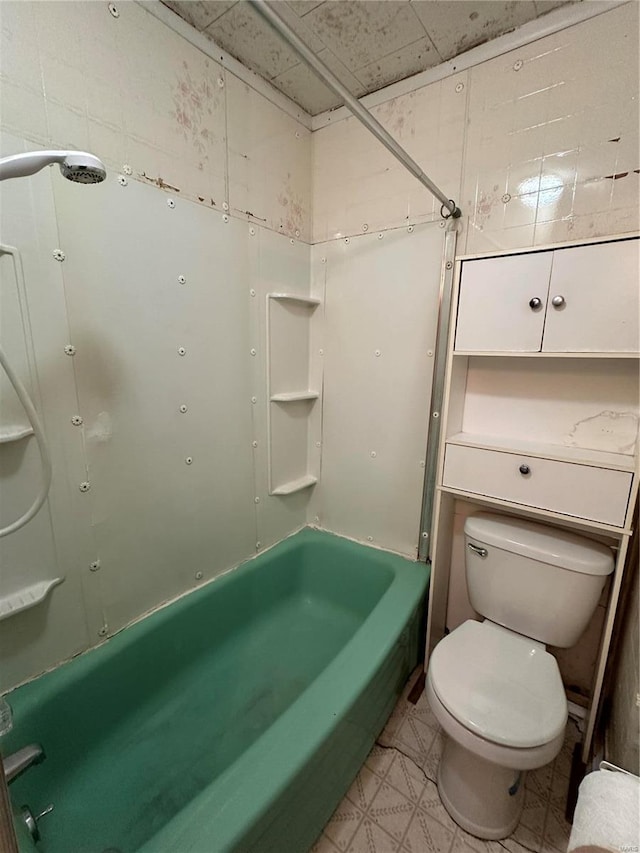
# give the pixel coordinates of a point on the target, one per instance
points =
(393, 804)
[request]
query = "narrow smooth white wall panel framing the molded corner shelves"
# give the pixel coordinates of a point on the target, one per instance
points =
(275, 262)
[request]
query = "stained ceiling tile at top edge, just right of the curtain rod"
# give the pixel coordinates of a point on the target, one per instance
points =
(358, 32)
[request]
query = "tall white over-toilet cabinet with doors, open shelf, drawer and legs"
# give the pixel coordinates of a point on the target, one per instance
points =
(541, 406)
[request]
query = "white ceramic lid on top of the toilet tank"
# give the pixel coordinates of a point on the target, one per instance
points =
(540, 542)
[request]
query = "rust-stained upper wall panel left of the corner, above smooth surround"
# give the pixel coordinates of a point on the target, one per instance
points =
(265, 186)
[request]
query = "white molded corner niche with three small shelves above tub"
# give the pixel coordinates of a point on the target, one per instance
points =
(290, 391)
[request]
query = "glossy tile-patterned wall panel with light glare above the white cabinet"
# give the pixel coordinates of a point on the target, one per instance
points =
(550, 125)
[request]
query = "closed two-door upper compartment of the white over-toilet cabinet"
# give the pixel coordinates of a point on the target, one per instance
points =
(580, 299)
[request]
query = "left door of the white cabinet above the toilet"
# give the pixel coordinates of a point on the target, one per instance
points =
(502, 303)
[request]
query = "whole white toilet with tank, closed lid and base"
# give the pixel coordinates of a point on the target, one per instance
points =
(492, 686)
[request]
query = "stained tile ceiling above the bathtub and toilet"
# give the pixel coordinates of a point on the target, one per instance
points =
(368, 44)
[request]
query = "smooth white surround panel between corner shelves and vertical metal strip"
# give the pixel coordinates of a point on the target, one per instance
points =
(381, 304)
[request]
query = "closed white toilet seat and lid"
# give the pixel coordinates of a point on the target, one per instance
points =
(500, 686)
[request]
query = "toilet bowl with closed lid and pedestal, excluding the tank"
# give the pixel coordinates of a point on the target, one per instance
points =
(499, 699)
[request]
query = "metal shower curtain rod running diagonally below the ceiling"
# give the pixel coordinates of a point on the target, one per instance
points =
(361, 113)
